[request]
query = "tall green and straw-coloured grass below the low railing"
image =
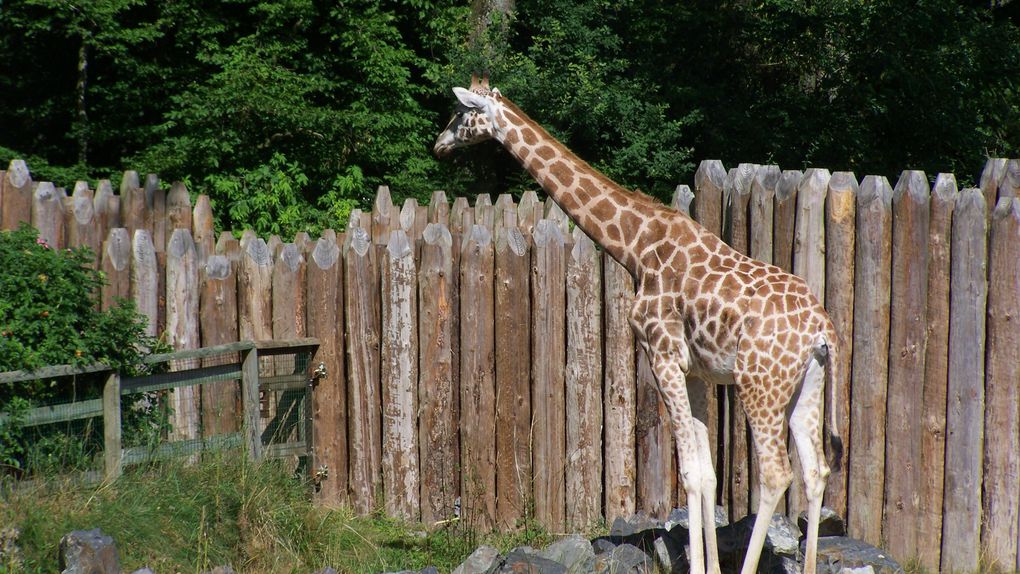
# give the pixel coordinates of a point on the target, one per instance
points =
(224, 511)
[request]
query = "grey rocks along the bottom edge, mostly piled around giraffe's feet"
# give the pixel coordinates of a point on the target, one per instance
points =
(638, 545)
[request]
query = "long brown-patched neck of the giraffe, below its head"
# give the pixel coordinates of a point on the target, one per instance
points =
(613, 217)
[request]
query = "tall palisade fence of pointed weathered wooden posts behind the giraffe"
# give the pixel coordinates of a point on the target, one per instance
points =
(481, 354)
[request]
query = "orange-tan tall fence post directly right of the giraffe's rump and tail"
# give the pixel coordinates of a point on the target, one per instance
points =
(841, 217)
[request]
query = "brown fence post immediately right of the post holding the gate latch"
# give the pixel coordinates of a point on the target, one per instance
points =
(362, 299)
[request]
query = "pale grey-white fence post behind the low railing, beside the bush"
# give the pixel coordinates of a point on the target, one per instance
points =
(183, 329)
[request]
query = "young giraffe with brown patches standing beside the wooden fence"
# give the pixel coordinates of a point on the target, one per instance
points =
(702, 309)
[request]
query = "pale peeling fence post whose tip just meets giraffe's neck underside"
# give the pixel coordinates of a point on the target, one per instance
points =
(584, 384)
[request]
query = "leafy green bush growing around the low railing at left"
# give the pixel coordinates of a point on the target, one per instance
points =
(50, 316)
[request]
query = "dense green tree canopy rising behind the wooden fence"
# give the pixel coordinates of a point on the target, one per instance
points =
(291, 112)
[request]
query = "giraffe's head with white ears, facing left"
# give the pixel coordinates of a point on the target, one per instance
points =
(475, 121)
